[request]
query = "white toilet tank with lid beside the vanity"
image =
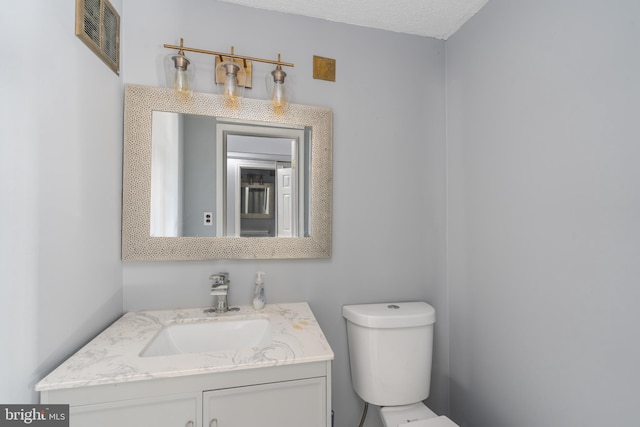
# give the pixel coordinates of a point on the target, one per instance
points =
(390, 351)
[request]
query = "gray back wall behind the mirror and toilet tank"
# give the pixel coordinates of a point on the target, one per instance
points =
(388, 234)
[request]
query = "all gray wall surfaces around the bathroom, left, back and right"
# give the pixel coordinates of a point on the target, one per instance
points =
(540, 170)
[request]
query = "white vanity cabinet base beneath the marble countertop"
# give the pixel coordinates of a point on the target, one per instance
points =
(281, 396)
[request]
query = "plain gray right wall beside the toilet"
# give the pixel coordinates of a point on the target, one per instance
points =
(543, 134)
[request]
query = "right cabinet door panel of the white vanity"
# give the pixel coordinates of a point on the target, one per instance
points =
(300, 403)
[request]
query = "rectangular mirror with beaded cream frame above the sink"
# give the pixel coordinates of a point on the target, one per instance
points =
(201, 181)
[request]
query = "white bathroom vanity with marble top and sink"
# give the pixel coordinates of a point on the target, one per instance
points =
(192, 368)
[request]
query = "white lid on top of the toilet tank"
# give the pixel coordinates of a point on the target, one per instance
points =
(390, 315)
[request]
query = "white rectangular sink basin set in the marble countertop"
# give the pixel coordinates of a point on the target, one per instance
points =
(209, 336)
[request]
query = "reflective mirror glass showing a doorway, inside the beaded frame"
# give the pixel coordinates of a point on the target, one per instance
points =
(212, 177)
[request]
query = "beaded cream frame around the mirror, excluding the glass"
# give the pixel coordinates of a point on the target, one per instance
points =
(139, 245)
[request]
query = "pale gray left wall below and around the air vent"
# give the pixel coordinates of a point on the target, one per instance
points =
(60, 192)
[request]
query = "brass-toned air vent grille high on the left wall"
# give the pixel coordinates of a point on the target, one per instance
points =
(98, 26)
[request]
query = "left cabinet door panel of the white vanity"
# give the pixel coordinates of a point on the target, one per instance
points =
(169, 411)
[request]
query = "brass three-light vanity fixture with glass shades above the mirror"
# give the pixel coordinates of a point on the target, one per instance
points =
(233, 73)
